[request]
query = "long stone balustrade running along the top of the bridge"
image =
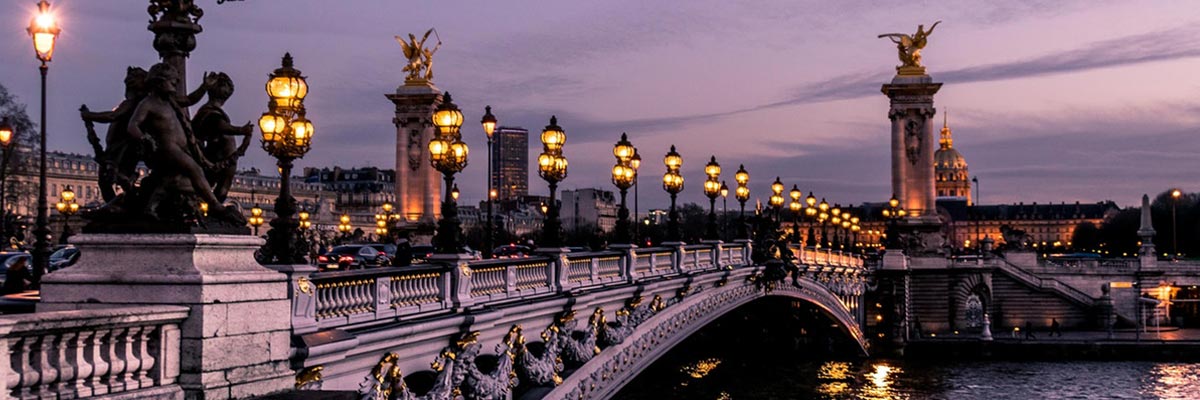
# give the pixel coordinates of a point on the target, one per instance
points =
(347, 298)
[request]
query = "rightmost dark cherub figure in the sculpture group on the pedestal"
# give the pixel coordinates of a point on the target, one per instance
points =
(215, 133)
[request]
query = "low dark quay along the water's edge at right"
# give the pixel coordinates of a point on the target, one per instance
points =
(1178, 345)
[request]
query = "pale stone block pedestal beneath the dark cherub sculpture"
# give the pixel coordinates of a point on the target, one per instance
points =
(236, 341)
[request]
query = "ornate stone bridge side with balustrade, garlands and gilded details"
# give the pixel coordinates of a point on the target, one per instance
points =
(561, 325)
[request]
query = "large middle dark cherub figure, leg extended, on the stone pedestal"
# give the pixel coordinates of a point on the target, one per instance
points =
(161, 124)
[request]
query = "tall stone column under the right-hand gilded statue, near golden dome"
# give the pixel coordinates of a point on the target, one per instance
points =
(913, 142)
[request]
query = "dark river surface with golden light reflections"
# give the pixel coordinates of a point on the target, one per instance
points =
(706, 378)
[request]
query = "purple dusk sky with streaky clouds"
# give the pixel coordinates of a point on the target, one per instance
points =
(1051, 102)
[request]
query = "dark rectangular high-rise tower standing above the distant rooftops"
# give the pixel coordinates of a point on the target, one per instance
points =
(511, 163)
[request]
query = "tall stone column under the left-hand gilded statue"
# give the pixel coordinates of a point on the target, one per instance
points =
(418, 184)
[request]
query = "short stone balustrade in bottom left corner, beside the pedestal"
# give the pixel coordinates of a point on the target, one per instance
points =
(130, 353)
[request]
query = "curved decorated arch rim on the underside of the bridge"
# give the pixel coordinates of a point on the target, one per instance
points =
(617, 366)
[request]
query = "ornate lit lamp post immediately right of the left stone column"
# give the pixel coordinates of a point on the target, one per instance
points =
(448, 154)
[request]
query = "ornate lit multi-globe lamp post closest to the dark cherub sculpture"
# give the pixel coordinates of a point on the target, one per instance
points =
(287, 136)
